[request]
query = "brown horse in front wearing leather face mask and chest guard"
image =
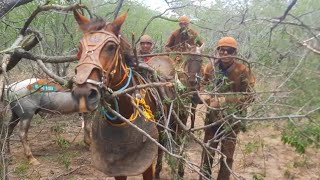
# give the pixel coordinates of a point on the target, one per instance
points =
(118, 149)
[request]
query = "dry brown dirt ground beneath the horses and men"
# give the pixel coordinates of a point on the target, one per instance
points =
(57, 143)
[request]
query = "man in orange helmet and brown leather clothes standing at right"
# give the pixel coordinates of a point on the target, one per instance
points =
(226, 75)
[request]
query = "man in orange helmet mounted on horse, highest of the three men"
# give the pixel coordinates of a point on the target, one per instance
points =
(181, 37)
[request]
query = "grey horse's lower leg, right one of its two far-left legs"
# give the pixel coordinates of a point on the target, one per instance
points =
(24, 127)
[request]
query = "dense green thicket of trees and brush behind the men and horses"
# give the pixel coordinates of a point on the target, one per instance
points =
(282, 45)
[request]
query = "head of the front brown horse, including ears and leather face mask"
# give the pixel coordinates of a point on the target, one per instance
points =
(99, 59)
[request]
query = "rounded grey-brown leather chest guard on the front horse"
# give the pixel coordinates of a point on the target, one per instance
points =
(123, 151)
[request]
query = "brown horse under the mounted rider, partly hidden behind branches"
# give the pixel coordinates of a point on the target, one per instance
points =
(186, 72)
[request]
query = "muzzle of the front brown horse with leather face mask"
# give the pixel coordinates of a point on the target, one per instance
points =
(88, 97)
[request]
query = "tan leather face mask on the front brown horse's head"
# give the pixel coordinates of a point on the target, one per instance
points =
(92, 44)
